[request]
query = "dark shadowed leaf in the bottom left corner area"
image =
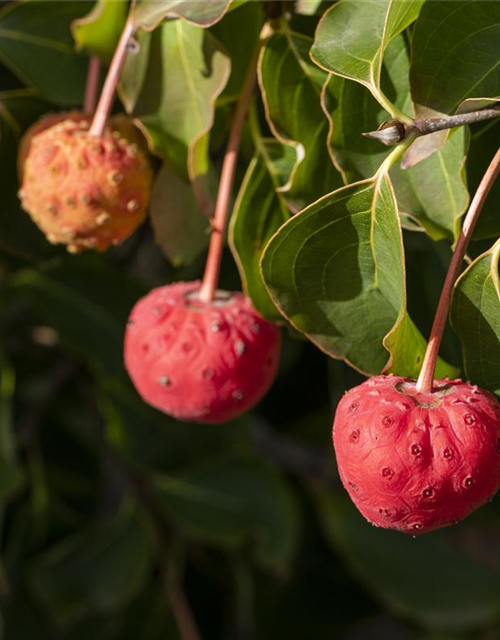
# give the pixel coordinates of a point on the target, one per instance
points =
(98, 569)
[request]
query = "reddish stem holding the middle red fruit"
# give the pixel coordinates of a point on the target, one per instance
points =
(212, 269)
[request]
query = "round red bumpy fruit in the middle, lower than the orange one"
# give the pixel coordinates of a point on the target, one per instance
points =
(200, 362)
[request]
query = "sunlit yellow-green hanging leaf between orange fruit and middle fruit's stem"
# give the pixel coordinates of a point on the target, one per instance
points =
(182, 72)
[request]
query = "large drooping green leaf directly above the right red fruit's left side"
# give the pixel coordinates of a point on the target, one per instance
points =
(336, 271)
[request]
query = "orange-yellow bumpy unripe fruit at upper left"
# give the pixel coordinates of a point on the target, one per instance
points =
(83, 191)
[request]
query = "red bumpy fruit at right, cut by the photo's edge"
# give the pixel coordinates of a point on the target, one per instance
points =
(417, 462)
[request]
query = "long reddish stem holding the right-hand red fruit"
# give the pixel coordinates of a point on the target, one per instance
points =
(426, 377)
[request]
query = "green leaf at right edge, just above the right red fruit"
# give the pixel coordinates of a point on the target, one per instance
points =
(475, 317)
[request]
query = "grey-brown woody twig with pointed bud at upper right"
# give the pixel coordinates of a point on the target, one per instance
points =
(394, 131)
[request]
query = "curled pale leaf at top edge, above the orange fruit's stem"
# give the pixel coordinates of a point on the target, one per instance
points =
(148, 14)
